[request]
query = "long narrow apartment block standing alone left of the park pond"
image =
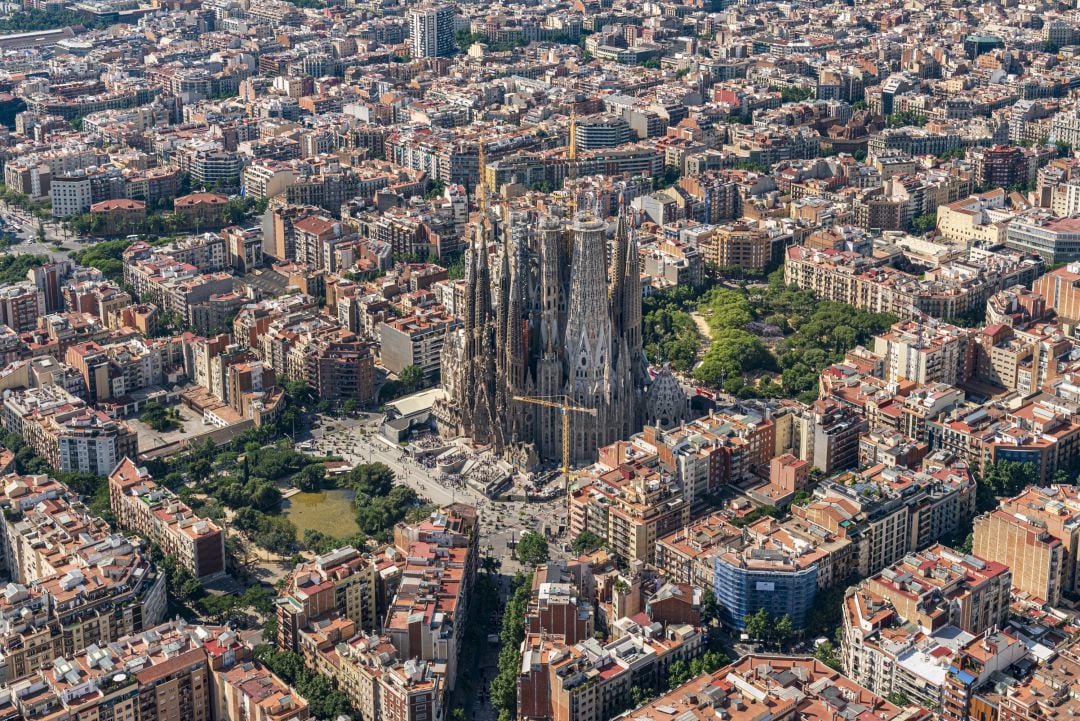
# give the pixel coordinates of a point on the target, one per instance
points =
(141, 506)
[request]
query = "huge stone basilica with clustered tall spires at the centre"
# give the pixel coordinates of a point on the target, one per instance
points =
(553, 310)
